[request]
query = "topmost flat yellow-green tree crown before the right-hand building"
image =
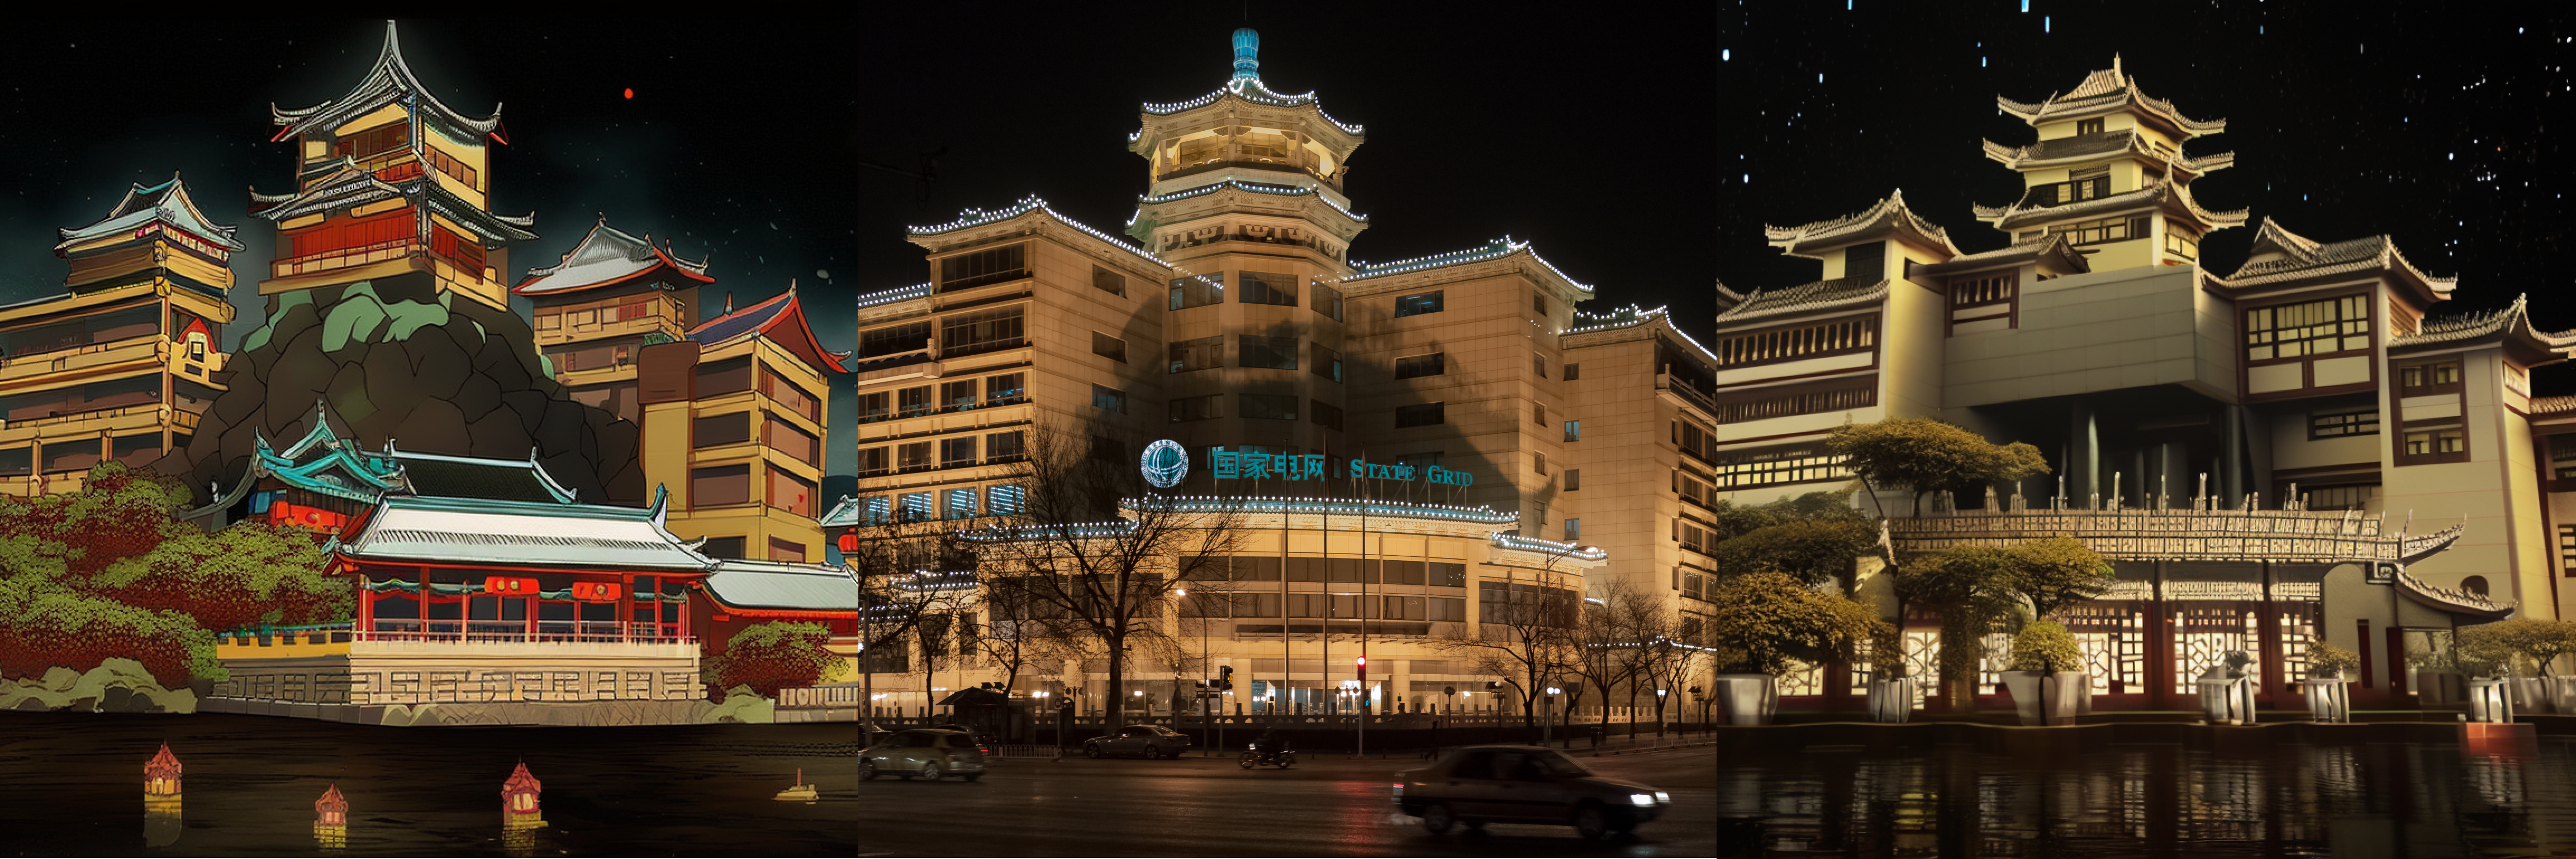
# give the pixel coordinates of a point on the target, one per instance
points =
(1928, 457)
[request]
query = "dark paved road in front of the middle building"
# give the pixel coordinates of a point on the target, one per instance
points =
(1212, 809)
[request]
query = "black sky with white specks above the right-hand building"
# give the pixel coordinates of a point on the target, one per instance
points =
(2441, 125)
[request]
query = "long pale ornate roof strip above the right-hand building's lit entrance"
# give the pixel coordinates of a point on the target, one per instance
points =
(2181, 534)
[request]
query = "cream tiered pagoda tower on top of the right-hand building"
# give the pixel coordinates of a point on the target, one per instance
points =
(2108, 174)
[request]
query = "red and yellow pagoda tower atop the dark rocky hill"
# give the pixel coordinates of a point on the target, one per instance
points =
(390, 181)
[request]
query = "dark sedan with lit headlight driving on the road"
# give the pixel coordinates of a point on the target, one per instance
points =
(1485, 786)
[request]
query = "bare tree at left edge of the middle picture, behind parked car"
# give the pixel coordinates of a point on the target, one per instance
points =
(911, 570)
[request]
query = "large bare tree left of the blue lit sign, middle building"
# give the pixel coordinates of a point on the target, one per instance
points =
(1094, 541)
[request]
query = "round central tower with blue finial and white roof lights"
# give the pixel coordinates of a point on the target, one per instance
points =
(1245, 202)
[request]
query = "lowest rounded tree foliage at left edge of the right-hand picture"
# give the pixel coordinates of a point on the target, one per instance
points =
(1774, 621)
